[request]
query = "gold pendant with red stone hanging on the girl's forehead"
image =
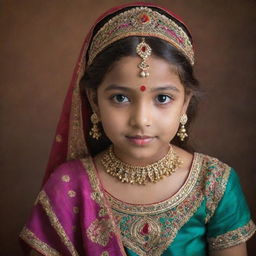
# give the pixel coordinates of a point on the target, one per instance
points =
(144, 51)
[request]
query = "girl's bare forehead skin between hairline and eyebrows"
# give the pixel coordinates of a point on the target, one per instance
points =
(126, 72)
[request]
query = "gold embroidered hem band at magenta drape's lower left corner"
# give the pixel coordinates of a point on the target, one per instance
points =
(30, 238)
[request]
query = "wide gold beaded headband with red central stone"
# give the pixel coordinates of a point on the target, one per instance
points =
(141, 21)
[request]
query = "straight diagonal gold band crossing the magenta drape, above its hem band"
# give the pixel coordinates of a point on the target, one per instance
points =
(45, 202)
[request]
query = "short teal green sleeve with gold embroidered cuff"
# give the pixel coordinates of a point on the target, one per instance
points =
(231, 223)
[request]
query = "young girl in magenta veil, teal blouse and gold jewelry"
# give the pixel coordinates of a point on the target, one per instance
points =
(120, 180)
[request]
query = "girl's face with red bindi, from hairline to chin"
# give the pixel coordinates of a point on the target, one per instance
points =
(140, 115)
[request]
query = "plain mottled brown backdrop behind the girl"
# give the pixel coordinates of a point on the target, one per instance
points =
(39, 43)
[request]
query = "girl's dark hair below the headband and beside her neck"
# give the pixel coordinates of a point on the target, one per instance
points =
(105, 60)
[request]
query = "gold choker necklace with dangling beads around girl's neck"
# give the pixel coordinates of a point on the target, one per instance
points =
(140, 174)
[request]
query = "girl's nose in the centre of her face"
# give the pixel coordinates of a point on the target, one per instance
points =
(141, 116)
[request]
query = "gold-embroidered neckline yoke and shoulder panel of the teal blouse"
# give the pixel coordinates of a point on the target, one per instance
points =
(149, 229)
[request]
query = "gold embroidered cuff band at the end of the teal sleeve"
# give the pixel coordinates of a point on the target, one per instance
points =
(233, 237)
